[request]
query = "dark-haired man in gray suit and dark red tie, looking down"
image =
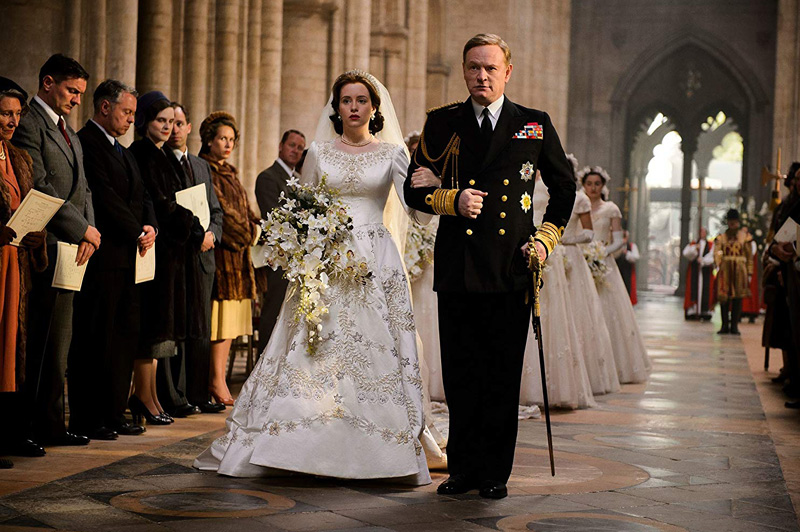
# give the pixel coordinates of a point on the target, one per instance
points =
(57, 171)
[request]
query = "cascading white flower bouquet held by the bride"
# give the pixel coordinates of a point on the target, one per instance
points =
(308, 236)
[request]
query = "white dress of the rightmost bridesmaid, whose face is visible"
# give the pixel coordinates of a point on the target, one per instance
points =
(630, 355)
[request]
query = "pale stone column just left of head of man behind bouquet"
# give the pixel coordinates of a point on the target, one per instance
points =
(269, 95)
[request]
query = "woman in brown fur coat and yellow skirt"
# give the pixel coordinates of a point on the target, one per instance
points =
(235, 283)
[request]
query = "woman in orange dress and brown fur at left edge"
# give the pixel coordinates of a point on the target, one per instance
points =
(16, 264)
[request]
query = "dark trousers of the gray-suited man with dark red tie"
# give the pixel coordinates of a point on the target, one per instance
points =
(49, 337)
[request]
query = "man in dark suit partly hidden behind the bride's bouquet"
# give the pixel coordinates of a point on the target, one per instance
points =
(269, 185)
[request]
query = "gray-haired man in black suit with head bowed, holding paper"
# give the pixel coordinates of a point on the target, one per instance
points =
(105, 338)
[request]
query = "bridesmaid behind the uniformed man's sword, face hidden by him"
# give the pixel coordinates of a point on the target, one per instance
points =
(568, 384)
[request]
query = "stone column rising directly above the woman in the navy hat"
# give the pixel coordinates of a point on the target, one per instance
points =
(154, 51)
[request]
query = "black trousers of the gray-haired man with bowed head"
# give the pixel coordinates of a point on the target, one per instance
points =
(104, 344)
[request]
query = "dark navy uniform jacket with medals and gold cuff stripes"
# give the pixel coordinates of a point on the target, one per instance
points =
(484, 254)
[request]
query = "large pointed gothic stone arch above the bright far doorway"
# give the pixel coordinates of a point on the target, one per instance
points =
(717, 78)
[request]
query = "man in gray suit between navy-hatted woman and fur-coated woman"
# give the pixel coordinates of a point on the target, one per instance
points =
(183, 379)
